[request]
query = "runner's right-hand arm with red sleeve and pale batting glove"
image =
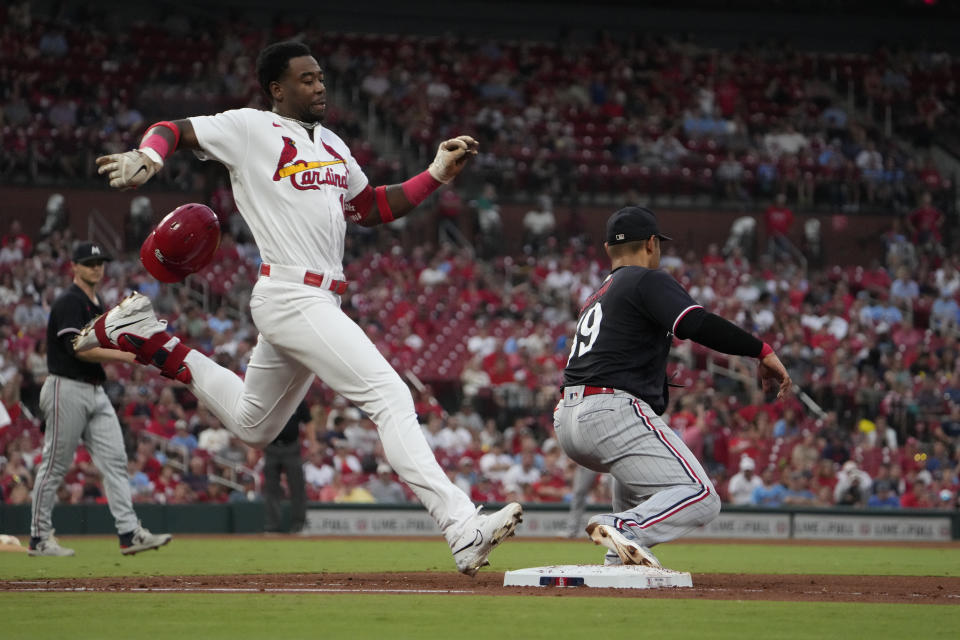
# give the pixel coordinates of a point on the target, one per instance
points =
(383, 204)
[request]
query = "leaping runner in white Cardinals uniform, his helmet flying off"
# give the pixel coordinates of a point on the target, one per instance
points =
(296, 184)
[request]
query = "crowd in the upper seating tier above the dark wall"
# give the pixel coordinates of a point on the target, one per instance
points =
(573, 118)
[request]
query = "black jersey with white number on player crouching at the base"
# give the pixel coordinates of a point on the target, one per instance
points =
(625, 331)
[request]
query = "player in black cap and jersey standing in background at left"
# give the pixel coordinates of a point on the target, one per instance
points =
(75, 407)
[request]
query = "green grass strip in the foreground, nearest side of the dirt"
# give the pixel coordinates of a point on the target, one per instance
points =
(235, 617)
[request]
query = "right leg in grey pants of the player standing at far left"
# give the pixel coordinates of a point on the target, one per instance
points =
(104, 440)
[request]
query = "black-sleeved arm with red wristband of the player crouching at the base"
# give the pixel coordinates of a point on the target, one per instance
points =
(721, 335)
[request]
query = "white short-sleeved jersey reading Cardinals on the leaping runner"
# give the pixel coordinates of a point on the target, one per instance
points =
(289, 188)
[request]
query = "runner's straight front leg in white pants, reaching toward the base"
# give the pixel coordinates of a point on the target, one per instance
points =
(316, 332)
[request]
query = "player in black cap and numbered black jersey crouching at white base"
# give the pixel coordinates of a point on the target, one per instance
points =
(615, 388)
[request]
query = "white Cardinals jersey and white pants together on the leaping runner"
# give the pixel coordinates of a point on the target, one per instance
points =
(291, 191)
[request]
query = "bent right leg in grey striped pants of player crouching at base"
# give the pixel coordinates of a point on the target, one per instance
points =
(659, 484)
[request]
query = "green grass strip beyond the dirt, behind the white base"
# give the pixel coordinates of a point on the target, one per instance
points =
(99, 556)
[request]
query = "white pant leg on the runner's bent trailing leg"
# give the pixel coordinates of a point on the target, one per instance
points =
(254, 408)
